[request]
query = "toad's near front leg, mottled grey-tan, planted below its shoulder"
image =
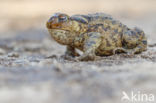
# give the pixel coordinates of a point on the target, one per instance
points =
(92, 42)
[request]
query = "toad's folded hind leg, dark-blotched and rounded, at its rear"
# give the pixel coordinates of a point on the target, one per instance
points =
(134, 41)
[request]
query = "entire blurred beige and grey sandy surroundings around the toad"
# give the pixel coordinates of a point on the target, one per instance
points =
(27, 76)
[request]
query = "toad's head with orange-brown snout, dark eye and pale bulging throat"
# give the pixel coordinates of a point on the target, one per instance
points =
(64, 28)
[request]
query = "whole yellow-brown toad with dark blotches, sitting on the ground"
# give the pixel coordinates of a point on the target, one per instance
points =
(96, 35)
